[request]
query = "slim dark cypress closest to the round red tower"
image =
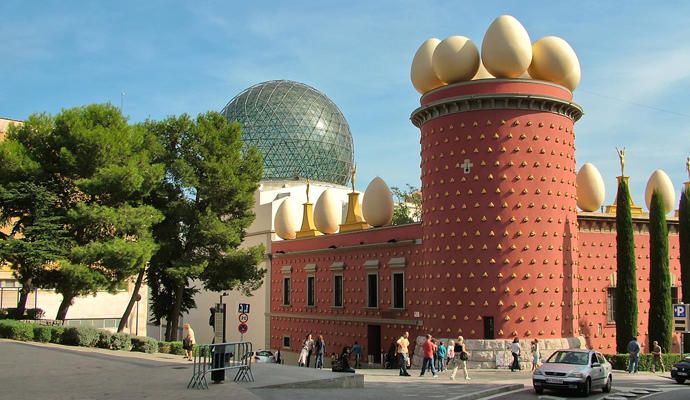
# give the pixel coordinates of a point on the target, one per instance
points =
(626, 290)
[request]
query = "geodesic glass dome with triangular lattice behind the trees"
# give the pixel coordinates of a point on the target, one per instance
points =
(300, 132)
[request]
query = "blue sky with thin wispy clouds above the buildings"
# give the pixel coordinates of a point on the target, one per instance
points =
(173, 57)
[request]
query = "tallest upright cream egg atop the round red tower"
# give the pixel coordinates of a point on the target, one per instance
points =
(506, 49)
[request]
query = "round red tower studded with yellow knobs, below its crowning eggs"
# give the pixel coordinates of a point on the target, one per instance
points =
(499, 208)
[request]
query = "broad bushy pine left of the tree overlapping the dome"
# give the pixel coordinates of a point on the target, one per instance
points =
(98, 168)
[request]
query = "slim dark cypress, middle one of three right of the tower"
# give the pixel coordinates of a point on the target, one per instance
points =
(660, 317)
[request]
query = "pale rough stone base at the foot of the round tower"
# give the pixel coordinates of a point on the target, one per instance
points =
(495, 353)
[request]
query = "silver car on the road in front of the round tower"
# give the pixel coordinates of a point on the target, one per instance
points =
(578, 369)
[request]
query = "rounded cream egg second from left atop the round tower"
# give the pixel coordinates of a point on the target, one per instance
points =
(455, 59)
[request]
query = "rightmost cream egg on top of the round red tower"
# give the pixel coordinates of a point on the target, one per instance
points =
(555, 61)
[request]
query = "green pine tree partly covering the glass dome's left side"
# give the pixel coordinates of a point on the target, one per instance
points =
(207, 198)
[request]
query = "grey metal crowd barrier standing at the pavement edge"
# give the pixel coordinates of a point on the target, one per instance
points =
(219, 358)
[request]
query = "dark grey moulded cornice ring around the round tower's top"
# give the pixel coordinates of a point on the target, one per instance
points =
(497, 101)
